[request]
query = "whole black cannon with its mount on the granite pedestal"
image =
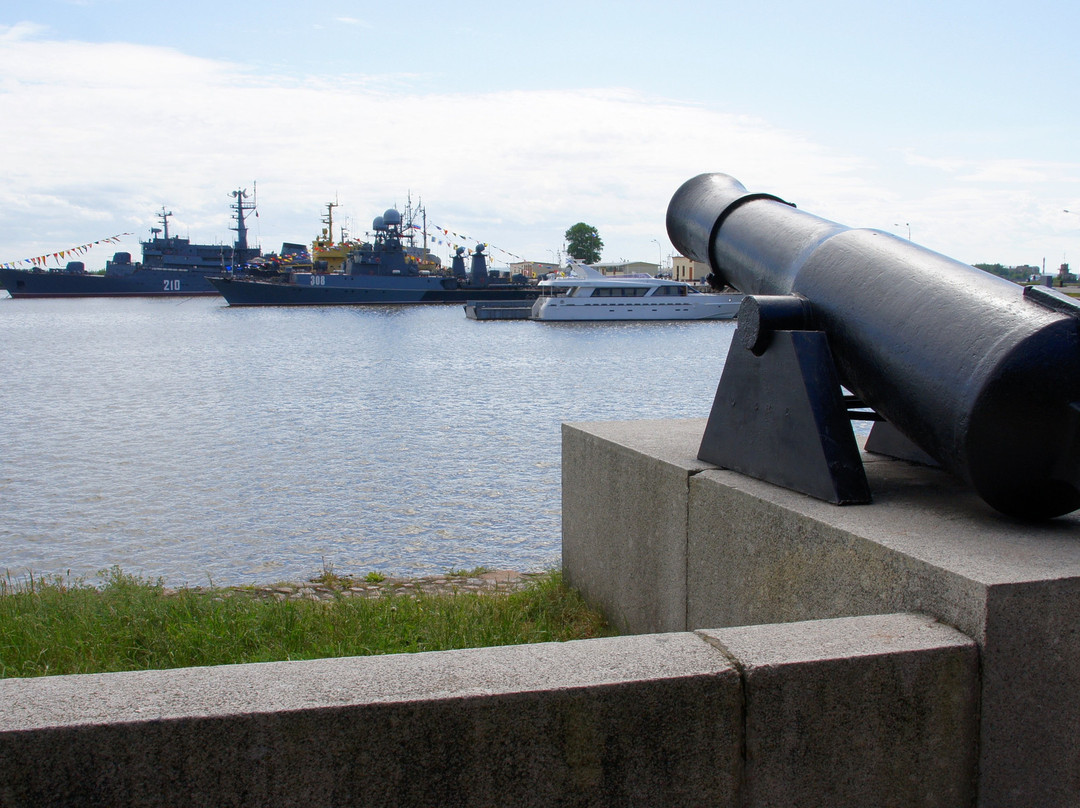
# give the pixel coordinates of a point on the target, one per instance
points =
(961, 368)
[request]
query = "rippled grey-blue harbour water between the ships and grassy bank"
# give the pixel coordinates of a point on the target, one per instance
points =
(199, 443)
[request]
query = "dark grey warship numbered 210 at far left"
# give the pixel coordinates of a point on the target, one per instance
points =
(172, 267)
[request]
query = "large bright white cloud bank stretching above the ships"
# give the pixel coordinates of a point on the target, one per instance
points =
(100, 137)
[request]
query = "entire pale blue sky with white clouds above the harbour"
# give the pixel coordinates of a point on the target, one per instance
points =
(950, 123)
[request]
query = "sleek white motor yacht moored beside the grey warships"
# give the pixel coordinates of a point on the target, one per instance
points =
(583, 293)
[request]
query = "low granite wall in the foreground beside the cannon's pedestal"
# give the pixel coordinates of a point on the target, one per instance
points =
(661, 720)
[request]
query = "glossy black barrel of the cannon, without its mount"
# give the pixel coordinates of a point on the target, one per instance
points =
(981, 374)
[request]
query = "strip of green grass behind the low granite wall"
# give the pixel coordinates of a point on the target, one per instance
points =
(59, 627)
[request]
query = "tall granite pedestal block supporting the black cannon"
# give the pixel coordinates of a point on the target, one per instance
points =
(663, 542)
